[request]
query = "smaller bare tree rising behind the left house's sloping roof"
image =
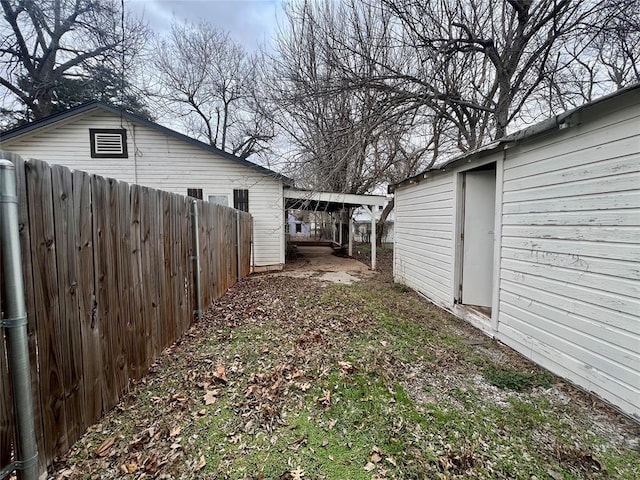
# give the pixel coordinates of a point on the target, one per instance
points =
(208, 81)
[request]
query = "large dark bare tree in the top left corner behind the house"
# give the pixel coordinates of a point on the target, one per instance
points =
(43, 43)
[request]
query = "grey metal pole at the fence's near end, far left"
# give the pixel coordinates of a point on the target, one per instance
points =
(15, 325)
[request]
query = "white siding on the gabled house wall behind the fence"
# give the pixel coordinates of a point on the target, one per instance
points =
(164, 162)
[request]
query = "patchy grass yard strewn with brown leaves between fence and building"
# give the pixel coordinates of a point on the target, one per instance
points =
(292, 378)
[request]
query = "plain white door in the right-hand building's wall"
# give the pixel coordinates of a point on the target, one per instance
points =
(479, 221)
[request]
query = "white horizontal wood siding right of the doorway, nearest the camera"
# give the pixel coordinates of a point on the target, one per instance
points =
(570, 271)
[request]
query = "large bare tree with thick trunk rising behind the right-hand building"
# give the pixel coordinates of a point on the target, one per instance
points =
(489, 59)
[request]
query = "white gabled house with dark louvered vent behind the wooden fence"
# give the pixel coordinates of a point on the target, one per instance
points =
(107, 141)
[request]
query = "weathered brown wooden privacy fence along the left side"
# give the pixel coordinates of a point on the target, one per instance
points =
(109, 283)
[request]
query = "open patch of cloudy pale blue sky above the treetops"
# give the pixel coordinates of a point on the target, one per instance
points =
(250, 22)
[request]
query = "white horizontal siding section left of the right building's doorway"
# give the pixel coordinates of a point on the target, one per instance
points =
(423, 255)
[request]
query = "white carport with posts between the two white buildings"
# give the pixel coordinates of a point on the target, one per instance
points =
(333, 202)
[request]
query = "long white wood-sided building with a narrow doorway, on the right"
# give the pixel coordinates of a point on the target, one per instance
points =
(536, 240)
